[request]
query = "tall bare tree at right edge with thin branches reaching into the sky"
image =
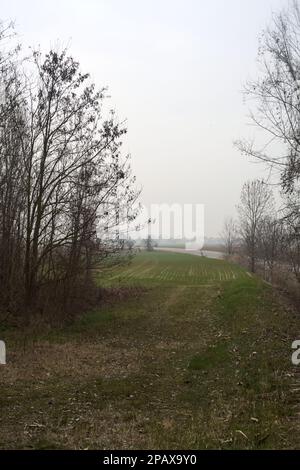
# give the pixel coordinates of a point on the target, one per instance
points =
(277, 95)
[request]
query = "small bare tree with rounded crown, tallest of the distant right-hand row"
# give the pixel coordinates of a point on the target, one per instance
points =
(255, 203)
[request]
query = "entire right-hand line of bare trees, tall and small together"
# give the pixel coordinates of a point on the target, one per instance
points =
(263, 234)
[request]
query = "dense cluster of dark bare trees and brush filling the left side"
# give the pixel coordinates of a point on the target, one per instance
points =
(64, 185)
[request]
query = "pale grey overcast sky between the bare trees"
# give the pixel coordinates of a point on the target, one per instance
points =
(175, 70)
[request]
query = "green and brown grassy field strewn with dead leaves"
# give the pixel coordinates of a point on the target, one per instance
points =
(189, 353)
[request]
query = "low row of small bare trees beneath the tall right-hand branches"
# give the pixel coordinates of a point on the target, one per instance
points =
(267, 240)
